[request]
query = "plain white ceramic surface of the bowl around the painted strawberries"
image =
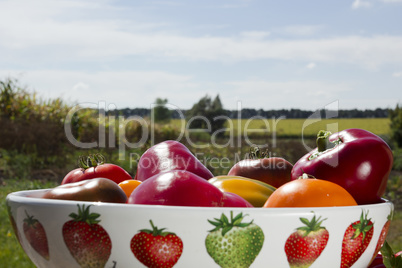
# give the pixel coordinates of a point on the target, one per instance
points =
(122, 222)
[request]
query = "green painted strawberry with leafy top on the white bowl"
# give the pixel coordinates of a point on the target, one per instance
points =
(233, 243)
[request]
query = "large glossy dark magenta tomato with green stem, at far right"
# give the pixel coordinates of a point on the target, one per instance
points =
(355, 159)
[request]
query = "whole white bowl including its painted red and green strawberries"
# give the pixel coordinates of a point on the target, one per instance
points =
(97, 234)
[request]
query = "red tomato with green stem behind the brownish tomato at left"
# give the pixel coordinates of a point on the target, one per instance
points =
(92, 167)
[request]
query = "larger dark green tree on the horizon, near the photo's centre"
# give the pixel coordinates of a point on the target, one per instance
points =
(206, 114)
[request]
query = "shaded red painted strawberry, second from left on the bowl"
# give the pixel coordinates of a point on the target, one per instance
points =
(87, 241)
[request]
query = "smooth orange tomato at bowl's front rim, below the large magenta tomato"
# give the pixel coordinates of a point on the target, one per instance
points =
(310, 192)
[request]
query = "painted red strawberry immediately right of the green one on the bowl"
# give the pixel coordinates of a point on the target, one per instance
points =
(306, 244)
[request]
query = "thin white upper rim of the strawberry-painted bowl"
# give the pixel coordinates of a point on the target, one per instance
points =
(24, 197)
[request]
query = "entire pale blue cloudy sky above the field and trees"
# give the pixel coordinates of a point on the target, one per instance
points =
(258, 54)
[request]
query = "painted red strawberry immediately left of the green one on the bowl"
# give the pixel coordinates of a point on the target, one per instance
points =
(156, 248)
